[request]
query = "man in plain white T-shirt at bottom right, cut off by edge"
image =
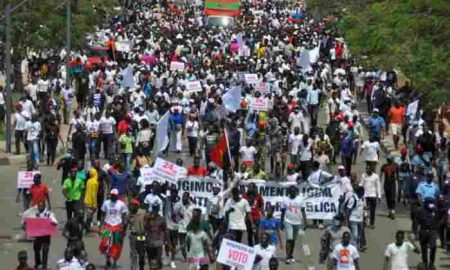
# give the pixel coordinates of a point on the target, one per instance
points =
(396, 254)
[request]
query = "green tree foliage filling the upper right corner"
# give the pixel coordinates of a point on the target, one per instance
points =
(409, 35)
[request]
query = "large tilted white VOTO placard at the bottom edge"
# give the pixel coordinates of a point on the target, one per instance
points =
(236, 255)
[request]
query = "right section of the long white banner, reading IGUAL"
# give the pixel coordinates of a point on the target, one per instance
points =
(321, 202)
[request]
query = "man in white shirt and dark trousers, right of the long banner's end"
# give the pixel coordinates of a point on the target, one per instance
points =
(372, 191)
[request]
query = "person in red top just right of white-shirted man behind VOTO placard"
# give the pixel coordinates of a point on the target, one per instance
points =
(256, 202)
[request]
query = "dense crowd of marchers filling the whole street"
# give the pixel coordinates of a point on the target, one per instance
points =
(113, 125)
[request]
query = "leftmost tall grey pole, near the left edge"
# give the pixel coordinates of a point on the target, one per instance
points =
(8, 70)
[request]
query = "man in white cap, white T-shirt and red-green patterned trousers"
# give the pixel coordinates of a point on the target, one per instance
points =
(113, 223)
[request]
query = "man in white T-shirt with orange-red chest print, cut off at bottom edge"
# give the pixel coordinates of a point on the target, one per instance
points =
(345, 256)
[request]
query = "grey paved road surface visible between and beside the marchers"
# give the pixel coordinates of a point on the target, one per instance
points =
(372, 259)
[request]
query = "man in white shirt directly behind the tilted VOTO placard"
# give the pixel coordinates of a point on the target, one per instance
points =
(237, 211)
